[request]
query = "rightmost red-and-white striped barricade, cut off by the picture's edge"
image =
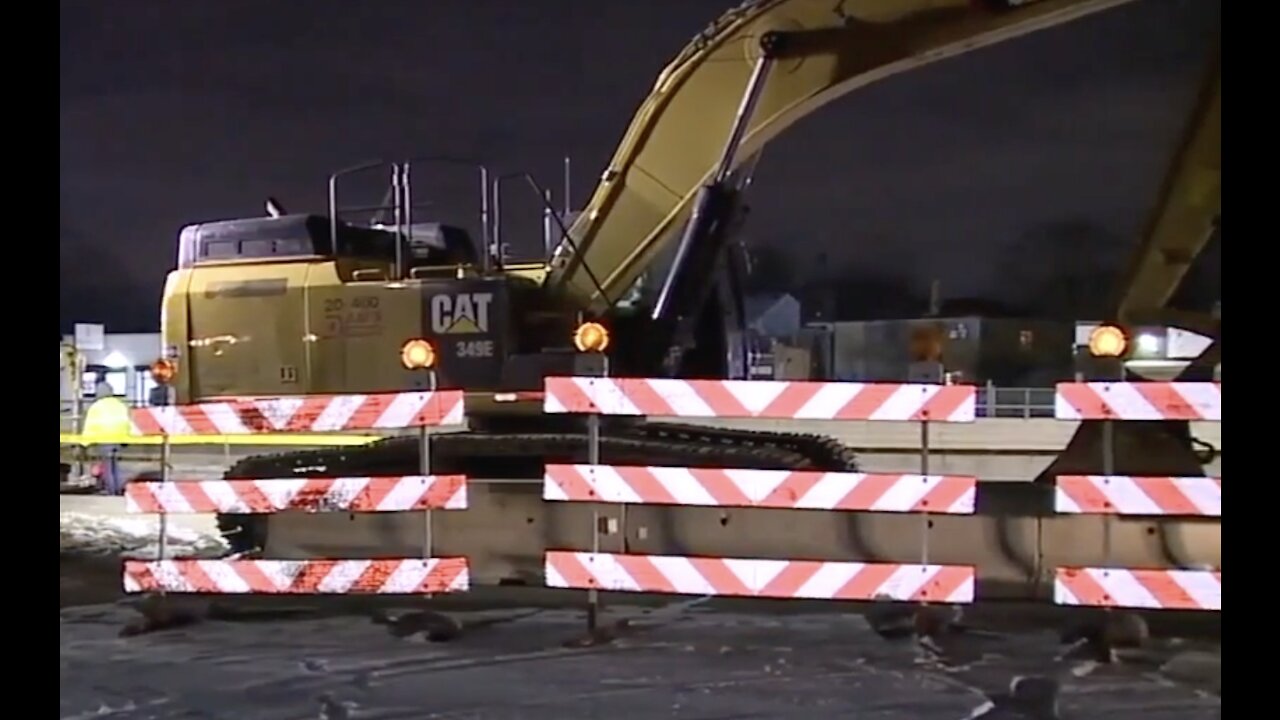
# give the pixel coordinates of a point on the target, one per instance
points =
(1112, 495)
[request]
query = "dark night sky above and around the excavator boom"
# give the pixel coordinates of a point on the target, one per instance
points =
(181, 112)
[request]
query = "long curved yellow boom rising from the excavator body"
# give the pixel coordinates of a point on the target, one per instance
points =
(675, 143)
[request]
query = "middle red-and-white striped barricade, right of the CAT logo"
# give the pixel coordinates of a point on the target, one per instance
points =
(707, 577)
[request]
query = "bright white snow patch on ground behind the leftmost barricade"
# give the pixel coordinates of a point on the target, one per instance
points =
(132, 537)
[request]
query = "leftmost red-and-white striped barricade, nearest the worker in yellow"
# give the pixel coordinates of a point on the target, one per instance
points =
(301, 414)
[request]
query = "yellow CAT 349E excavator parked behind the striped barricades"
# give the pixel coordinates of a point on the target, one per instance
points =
(291, 304)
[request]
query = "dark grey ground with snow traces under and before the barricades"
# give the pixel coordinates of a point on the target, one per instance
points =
(523, 658)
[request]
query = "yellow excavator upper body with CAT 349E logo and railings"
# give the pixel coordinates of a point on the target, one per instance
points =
(291, 304)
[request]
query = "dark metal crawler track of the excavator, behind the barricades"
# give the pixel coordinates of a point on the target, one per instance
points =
(525, 455)
